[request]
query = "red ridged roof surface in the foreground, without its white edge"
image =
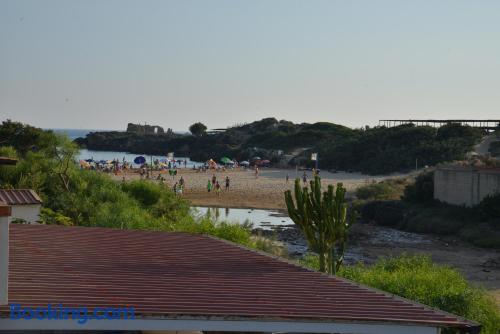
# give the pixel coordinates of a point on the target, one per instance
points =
(180, 274)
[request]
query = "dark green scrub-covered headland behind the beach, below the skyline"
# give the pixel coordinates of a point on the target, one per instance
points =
(370, 150)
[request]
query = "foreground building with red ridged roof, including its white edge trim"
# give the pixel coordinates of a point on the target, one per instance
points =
(188, 282)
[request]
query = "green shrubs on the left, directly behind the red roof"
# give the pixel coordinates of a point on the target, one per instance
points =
(86, 198)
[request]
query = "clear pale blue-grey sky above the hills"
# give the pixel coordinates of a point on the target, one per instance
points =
(99, 64)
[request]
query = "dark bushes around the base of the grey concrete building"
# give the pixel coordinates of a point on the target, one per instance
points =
(413, 208)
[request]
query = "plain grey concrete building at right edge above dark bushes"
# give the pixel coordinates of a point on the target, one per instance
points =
(464, 185)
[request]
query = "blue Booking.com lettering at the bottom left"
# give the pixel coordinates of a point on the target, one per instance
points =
(60, 312)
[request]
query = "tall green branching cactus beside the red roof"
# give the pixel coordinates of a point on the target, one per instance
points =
(322, 217)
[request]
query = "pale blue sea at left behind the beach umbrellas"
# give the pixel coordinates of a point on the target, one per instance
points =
(110, 155)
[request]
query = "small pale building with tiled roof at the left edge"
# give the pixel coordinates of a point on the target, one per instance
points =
(25, 203)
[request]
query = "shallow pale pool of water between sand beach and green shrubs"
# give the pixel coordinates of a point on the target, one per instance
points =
(259, 218)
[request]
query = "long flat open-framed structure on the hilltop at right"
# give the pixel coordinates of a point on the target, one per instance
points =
(486, 124)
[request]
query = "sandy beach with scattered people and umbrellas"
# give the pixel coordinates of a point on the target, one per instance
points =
(248, 191)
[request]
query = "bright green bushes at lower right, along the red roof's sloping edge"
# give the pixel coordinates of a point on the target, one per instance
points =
(418, 278)
